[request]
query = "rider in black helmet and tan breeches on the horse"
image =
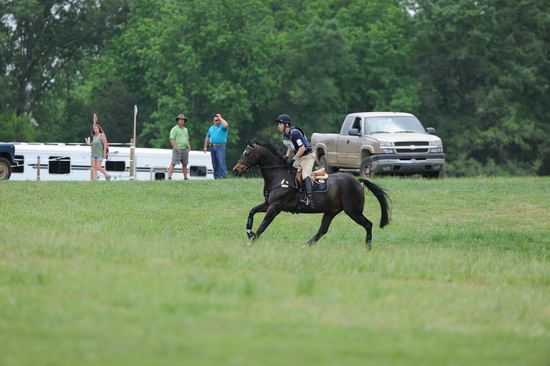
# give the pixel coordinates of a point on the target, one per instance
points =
(296, 141)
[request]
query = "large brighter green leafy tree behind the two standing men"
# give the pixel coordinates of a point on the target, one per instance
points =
(197, 58)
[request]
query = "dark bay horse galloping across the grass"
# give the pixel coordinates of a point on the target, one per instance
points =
(345, 193)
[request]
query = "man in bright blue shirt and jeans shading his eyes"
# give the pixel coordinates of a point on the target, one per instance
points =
(216, 138)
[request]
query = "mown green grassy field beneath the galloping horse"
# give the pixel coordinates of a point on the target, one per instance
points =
(123, 273)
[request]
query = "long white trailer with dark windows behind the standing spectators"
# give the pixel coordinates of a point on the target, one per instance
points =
(73, 162)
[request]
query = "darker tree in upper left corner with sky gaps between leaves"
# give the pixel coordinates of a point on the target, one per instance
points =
(42, 43)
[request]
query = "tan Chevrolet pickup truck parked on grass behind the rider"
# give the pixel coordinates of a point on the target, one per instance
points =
(379, 143)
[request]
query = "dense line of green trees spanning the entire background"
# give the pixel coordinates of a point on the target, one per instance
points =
(476, 70)
